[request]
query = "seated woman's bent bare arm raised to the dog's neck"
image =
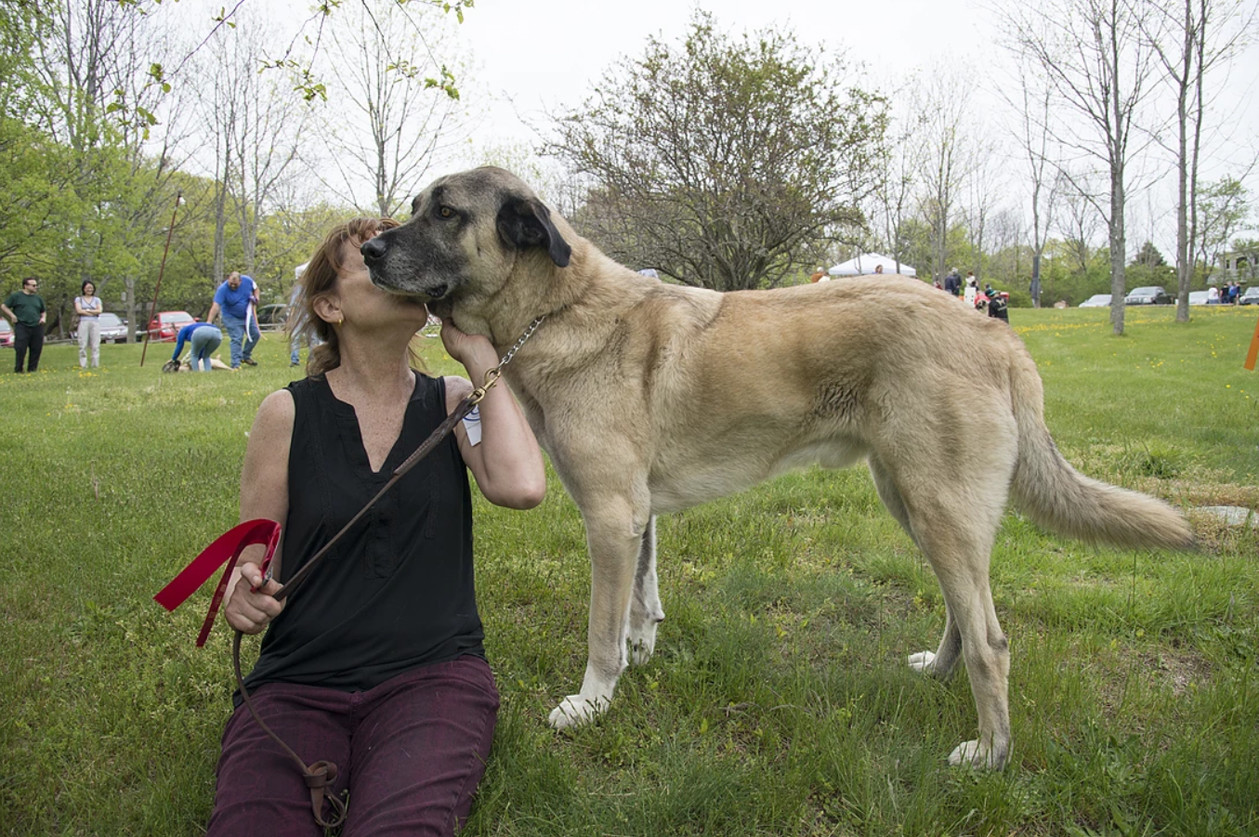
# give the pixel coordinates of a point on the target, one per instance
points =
(507, 464)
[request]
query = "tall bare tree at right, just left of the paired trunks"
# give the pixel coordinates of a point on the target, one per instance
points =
(1098, 66)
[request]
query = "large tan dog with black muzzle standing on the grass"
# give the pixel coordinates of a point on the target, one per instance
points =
(652, 398)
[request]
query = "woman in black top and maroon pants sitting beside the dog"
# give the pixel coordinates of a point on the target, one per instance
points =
(377, 664)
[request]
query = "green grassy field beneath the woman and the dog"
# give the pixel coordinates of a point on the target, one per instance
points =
(779, 702)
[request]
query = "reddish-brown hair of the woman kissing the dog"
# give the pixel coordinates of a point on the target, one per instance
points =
(320, 279)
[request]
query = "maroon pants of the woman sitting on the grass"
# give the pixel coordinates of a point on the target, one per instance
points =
(411, 752)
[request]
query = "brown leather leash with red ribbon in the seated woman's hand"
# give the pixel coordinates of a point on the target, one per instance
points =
(319, 776)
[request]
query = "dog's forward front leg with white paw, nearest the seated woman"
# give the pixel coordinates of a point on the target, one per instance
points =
(615, 536)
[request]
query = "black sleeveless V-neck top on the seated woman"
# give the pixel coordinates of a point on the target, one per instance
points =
(397, 592)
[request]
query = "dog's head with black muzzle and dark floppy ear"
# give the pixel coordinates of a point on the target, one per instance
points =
(466, 233)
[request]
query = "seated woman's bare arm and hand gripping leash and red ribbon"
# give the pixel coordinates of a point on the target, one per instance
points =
(264, 494)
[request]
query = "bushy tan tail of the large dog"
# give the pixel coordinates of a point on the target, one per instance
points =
(1063, 500)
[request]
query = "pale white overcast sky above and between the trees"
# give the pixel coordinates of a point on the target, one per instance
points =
(527, 61)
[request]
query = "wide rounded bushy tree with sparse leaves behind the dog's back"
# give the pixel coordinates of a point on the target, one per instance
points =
(723, 163)
